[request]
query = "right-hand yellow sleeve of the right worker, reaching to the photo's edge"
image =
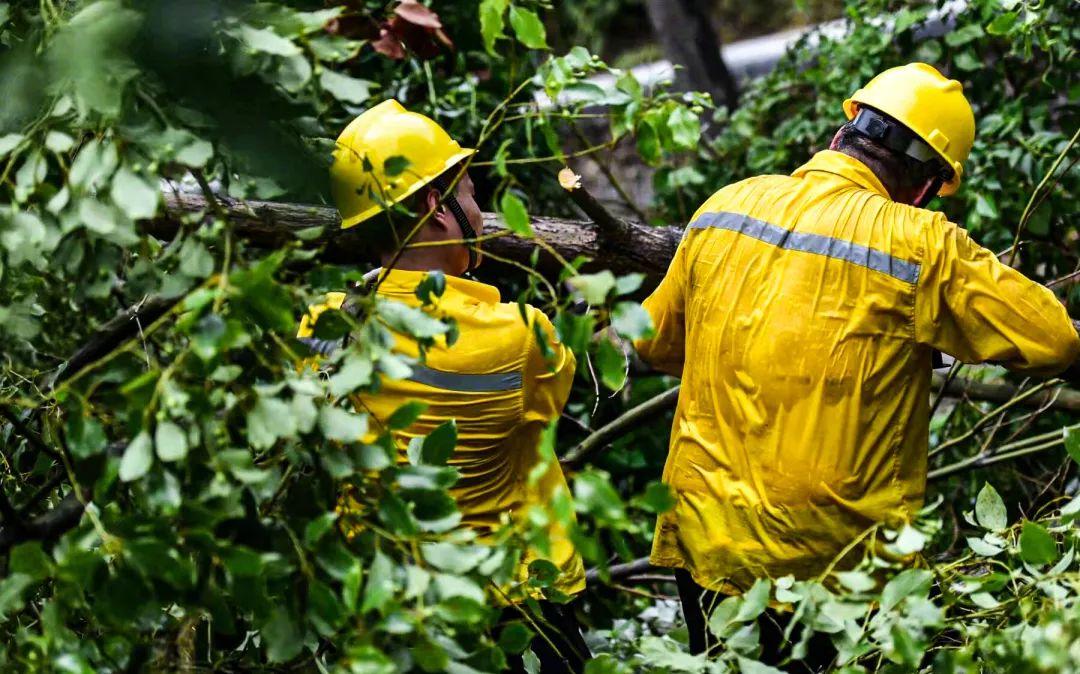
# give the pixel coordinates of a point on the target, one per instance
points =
(977, 309)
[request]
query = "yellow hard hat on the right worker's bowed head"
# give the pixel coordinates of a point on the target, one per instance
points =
(933, 106)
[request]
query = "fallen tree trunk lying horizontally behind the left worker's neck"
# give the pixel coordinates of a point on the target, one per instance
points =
(631, 248)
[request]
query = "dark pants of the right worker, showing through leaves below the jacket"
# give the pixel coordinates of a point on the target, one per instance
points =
(697, 602)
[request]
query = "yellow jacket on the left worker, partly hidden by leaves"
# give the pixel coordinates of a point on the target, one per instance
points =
(503, 393)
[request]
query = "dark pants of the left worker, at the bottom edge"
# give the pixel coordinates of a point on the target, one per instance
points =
(563, 652)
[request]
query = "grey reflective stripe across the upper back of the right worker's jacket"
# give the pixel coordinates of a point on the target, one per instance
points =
(806, 242)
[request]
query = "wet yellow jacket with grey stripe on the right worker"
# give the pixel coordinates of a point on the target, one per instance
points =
(809, 306)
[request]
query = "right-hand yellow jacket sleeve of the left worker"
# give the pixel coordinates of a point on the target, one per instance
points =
(548, 373)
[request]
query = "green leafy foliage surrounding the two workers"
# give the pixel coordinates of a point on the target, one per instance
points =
(173, 478)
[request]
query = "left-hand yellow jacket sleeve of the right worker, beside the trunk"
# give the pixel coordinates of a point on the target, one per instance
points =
(667, 306)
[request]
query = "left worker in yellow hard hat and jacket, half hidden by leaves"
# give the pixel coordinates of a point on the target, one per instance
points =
(501, 385)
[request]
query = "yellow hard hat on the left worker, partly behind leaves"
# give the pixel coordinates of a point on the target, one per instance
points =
(360, 181)
